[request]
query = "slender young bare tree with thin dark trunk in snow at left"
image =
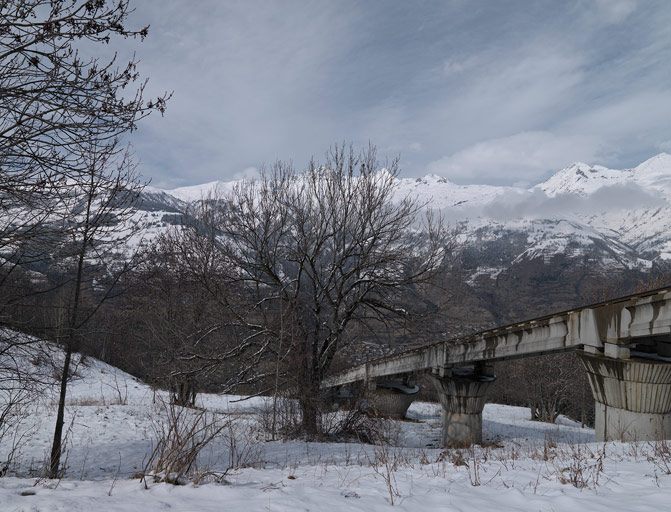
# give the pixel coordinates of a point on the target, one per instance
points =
(95, 214)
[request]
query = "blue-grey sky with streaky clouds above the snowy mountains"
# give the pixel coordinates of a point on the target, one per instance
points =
(496, 92)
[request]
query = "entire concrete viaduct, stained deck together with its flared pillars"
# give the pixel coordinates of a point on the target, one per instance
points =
(624, 345)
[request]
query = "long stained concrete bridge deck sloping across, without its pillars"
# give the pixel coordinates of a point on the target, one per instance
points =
(616, 322)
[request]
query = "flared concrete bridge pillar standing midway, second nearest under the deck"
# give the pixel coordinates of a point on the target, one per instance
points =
(462, 396)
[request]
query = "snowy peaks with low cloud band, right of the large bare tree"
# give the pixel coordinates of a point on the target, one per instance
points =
(618, 218)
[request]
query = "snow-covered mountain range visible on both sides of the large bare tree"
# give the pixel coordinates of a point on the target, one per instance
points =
(605, 218)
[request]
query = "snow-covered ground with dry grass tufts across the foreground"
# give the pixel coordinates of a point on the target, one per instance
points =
(112, 421)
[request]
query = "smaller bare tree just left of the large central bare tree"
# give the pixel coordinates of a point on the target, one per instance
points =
(178, 316)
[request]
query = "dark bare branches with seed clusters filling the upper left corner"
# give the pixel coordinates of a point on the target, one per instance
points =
(55, 102)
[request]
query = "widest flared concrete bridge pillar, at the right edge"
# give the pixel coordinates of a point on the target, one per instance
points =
(633, 398)
